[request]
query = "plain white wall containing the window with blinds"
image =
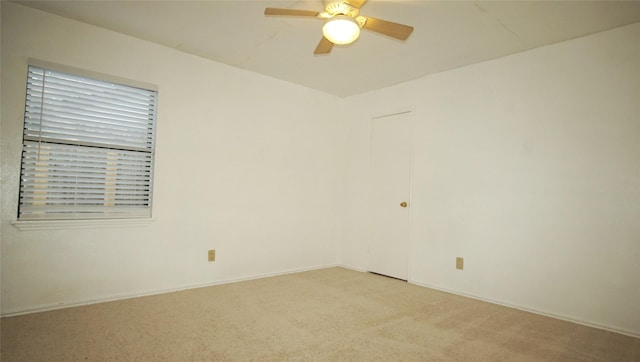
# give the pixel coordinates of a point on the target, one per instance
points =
(245, 164)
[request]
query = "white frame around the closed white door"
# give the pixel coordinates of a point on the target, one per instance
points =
(410, 110)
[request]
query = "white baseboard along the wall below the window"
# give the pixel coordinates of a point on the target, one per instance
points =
(116, 297)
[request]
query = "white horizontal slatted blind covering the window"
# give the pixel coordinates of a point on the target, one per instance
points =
(88, 148)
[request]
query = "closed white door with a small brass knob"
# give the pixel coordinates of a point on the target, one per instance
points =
(391, 182)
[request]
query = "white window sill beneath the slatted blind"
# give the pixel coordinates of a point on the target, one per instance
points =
(78, 224)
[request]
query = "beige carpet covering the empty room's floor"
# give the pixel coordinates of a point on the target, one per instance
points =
(324, 315)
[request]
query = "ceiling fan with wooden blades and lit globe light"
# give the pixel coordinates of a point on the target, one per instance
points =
(343, 23)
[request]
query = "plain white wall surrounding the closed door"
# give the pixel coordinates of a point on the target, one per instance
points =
(527, 166)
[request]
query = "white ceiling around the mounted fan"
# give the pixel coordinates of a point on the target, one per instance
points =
(447, 35)
